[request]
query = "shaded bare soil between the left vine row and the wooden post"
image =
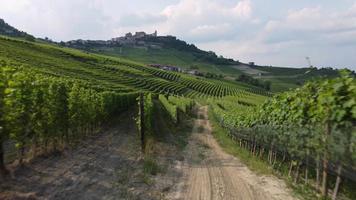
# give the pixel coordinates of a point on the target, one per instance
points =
(106, 166)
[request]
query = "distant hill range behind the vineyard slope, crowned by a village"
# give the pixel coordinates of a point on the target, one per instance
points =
(168, 50)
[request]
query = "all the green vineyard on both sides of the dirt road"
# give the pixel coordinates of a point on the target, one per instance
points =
(52, 97)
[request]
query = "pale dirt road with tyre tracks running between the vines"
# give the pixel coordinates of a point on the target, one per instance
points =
(211, 174)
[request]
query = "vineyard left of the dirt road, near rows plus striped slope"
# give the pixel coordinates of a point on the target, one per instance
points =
(78, 91)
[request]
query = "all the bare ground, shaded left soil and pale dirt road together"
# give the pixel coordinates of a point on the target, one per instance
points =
(110, 166)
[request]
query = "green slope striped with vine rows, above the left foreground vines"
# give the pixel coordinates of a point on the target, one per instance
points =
(111, 72)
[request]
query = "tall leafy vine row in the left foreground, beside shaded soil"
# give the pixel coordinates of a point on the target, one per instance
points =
(40, 109)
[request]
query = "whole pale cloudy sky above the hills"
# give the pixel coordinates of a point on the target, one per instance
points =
(267, 32)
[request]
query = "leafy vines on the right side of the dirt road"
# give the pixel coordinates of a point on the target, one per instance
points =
(311, 128)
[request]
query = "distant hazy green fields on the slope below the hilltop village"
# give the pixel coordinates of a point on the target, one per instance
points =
(282, 78)
